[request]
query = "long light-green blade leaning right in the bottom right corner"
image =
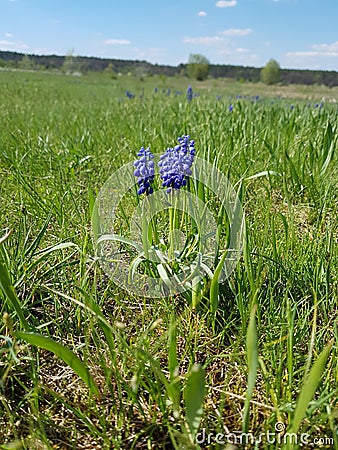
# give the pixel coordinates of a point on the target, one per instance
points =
(309, 388)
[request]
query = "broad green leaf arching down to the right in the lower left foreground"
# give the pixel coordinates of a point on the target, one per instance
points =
(62, 352)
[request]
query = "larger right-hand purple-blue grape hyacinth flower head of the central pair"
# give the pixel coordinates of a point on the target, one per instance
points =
(175, 164)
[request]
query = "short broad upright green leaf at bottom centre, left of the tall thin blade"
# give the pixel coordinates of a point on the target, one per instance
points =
(194, 394)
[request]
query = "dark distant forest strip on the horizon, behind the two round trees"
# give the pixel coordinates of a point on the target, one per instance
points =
(85, 64)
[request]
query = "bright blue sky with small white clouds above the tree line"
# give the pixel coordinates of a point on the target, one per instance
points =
(297, 33)
